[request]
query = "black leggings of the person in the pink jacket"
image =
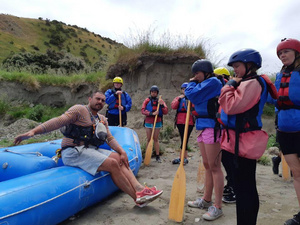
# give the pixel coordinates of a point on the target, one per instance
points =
(247, 201)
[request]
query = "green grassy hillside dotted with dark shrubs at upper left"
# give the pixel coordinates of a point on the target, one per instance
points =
(39, 35)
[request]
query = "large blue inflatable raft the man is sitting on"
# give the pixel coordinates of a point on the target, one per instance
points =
(36, 190)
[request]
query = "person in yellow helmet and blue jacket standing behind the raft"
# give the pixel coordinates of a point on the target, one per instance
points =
(112, 99)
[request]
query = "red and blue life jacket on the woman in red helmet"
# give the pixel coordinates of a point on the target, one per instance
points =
(289, 91)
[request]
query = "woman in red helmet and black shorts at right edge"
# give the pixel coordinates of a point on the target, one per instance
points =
(288, 105)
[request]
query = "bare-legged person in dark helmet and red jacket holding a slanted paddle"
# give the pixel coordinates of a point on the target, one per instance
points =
(149, 109)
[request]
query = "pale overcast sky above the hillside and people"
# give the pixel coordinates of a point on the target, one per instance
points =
(225, 25)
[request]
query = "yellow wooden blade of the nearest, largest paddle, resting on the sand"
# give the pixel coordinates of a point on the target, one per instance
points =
(177, 199)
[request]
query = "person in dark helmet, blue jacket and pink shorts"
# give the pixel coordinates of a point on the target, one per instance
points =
(203, 91)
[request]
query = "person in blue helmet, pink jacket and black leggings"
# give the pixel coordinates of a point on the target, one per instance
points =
(242, 100)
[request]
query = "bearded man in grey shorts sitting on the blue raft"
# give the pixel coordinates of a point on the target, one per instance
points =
(80, 147)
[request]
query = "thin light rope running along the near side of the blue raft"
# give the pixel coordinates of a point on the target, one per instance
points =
(85, 184)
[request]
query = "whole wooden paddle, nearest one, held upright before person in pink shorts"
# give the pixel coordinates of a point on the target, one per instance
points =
(177, 198)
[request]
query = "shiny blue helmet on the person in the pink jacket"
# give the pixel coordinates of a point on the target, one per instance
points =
(246, 55)
